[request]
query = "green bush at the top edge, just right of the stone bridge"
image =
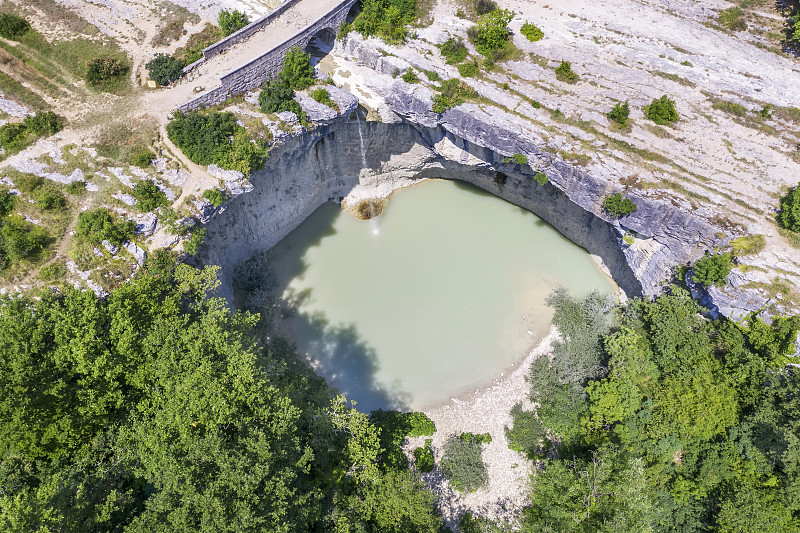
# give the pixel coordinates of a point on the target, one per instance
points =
(386, 19)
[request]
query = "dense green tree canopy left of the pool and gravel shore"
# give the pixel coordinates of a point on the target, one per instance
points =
(155, 409)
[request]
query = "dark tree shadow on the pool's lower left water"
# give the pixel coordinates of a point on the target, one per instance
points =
(340, 354)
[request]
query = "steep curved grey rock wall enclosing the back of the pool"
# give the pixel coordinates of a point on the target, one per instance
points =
(325, 164)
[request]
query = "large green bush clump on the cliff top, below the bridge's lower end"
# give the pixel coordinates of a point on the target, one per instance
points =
(215, 137)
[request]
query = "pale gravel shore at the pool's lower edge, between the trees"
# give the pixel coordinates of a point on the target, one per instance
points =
(486, 409)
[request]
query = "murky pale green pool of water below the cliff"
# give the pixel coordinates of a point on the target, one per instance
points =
(442, 292)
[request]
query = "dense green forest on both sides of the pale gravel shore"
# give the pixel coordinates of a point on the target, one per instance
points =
(155, 409)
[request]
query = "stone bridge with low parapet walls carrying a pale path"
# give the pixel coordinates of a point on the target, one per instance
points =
(246, 59)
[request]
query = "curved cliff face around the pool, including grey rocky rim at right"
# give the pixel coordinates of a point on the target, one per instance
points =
(326, 164)
